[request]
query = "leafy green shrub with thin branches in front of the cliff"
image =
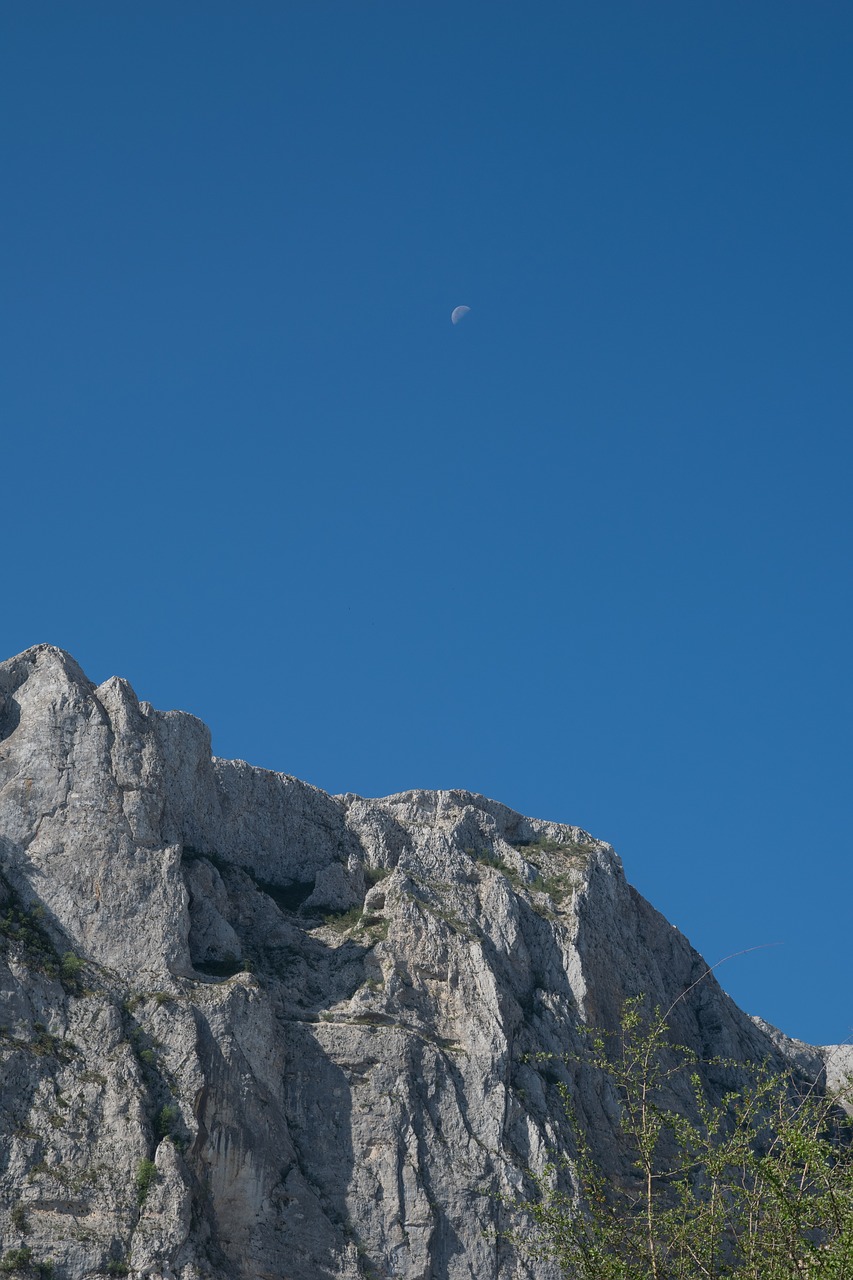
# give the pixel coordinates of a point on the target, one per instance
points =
(755, 1187)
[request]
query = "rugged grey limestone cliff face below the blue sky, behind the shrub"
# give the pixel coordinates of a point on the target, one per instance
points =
(252, 1031)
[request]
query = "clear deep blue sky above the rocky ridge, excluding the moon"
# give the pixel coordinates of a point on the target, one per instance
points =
(586, 552)
